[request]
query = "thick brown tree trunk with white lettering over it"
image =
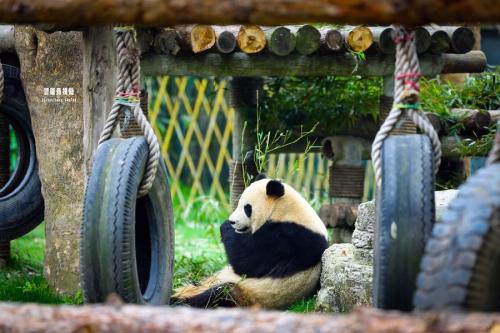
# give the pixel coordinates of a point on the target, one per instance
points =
(55, 61)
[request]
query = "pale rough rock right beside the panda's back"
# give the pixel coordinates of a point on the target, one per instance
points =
(346, 278)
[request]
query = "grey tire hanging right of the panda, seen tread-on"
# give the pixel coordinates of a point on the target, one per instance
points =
(405, 216)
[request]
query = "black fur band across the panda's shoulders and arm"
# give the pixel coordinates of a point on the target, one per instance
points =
(277, 249)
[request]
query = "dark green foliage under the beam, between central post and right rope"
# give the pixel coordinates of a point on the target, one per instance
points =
(291, 102)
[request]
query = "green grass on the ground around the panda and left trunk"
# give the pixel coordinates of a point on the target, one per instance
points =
(198, 254)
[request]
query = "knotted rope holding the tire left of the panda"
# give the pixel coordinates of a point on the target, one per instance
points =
(128, 99)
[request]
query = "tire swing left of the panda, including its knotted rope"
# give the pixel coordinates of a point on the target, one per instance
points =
(127, 235)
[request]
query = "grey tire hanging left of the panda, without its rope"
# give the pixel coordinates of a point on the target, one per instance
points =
(127, 244)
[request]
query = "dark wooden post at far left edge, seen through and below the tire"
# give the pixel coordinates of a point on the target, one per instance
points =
(4, 178)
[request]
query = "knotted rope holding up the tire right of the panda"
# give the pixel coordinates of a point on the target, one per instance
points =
(406, 100)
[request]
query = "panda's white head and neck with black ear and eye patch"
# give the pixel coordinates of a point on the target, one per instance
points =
(271, 200)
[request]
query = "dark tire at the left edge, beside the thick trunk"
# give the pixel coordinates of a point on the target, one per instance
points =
(21, 201)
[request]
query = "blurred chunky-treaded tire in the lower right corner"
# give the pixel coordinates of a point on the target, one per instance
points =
(461, 265)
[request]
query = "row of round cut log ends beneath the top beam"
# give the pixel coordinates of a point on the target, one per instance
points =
(304, 39)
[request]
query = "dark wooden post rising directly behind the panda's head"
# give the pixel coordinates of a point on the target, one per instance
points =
(245, 92)
